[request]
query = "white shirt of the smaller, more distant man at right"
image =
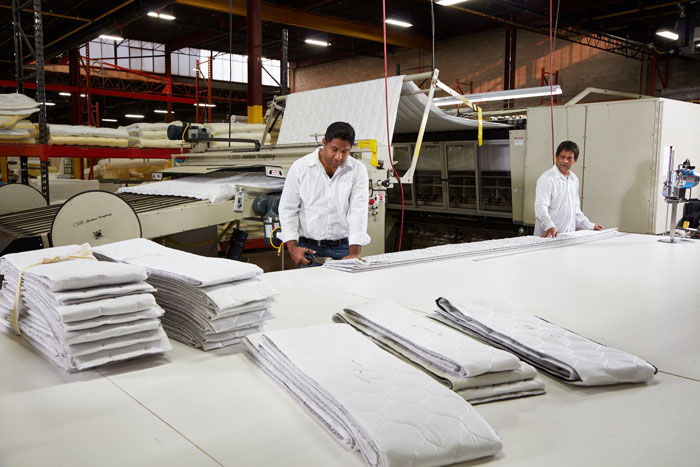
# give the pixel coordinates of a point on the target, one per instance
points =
(557, 203)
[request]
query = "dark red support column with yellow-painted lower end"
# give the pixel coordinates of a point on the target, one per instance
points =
(254, 61)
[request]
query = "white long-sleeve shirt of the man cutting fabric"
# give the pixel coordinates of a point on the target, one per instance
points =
(316, 206)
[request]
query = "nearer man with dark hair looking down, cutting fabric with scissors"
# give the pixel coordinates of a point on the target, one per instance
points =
(323, 208)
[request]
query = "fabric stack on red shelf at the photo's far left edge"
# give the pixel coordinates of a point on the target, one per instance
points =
(14, 109)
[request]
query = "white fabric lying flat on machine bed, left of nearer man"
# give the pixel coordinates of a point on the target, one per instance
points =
(214, 187)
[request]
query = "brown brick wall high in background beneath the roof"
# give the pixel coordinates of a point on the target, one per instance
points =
(480, 58)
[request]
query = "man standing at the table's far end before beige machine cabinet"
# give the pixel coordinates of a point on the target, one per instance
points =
(557, 205)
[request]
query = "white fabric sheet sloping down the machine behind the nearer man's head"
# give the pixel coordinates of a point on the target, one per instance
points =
(362, 105)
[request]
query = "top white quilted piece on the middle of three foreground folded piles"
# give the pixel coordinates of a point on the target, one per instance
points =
(447, 349)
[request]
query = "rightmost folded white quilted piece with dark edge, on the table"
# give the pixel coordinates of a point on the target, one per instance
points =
(557, 351)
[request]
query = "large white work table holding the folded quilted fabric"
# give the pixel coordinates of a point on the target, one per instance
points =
(192, 408)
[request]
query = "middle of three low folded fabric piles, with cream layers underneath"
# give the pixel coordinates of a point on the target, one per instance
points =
(478, 372)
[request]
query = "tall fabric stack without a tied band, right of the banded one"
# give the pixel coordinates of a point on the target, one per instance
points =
(209, 302)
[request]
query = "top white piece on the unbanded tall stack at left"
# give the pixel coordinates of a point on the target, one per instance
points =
(169, 264)
